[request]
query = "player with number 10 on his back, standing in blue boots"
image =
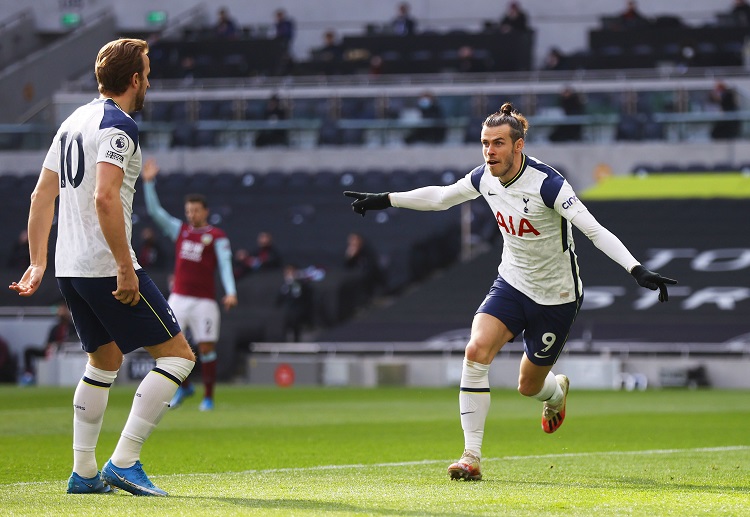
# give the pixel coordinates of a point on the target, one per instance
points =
(92, 166)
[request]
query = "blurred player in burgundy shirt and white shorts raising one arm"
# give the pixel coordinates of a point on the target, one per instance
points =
(200, 251)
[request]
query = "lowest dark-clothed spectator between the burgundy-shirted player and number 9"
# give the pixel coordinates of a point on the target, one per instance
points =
(295, 295)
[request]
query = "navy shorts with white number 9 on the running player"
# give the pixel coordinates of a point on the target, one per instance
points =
(545, 327)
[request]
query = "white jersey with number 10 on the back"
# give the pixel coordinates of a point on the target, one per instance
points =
(96, 132)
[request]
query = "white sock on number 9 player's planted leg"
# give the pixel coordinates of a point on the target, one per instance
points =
(474, 403)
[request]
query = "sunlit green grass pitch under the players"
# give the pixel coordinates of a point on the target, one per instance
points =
(345, 451)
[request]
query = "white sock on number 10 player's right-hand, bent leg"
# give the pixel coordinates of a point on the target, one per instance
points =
(150, 403)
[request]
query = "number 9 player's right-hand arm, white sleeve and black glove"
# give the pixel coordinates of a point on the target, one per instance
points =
(616, 250)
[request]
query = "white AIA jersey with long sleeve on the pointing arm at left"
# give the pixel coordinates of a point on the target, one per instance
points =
(533, 212)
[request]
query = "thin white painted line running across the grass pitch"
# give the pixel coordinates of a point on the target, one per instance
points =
(650, 452)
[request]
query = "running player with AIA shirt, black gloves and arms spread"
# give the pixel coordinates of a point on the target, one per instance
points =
(538, 290)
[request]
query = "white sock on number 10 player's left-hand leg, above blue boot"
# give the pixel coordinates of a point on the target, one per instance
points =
(89, 403)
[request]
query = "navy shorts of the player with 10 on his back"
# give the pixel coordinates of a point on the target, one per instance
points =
(99, 318)
